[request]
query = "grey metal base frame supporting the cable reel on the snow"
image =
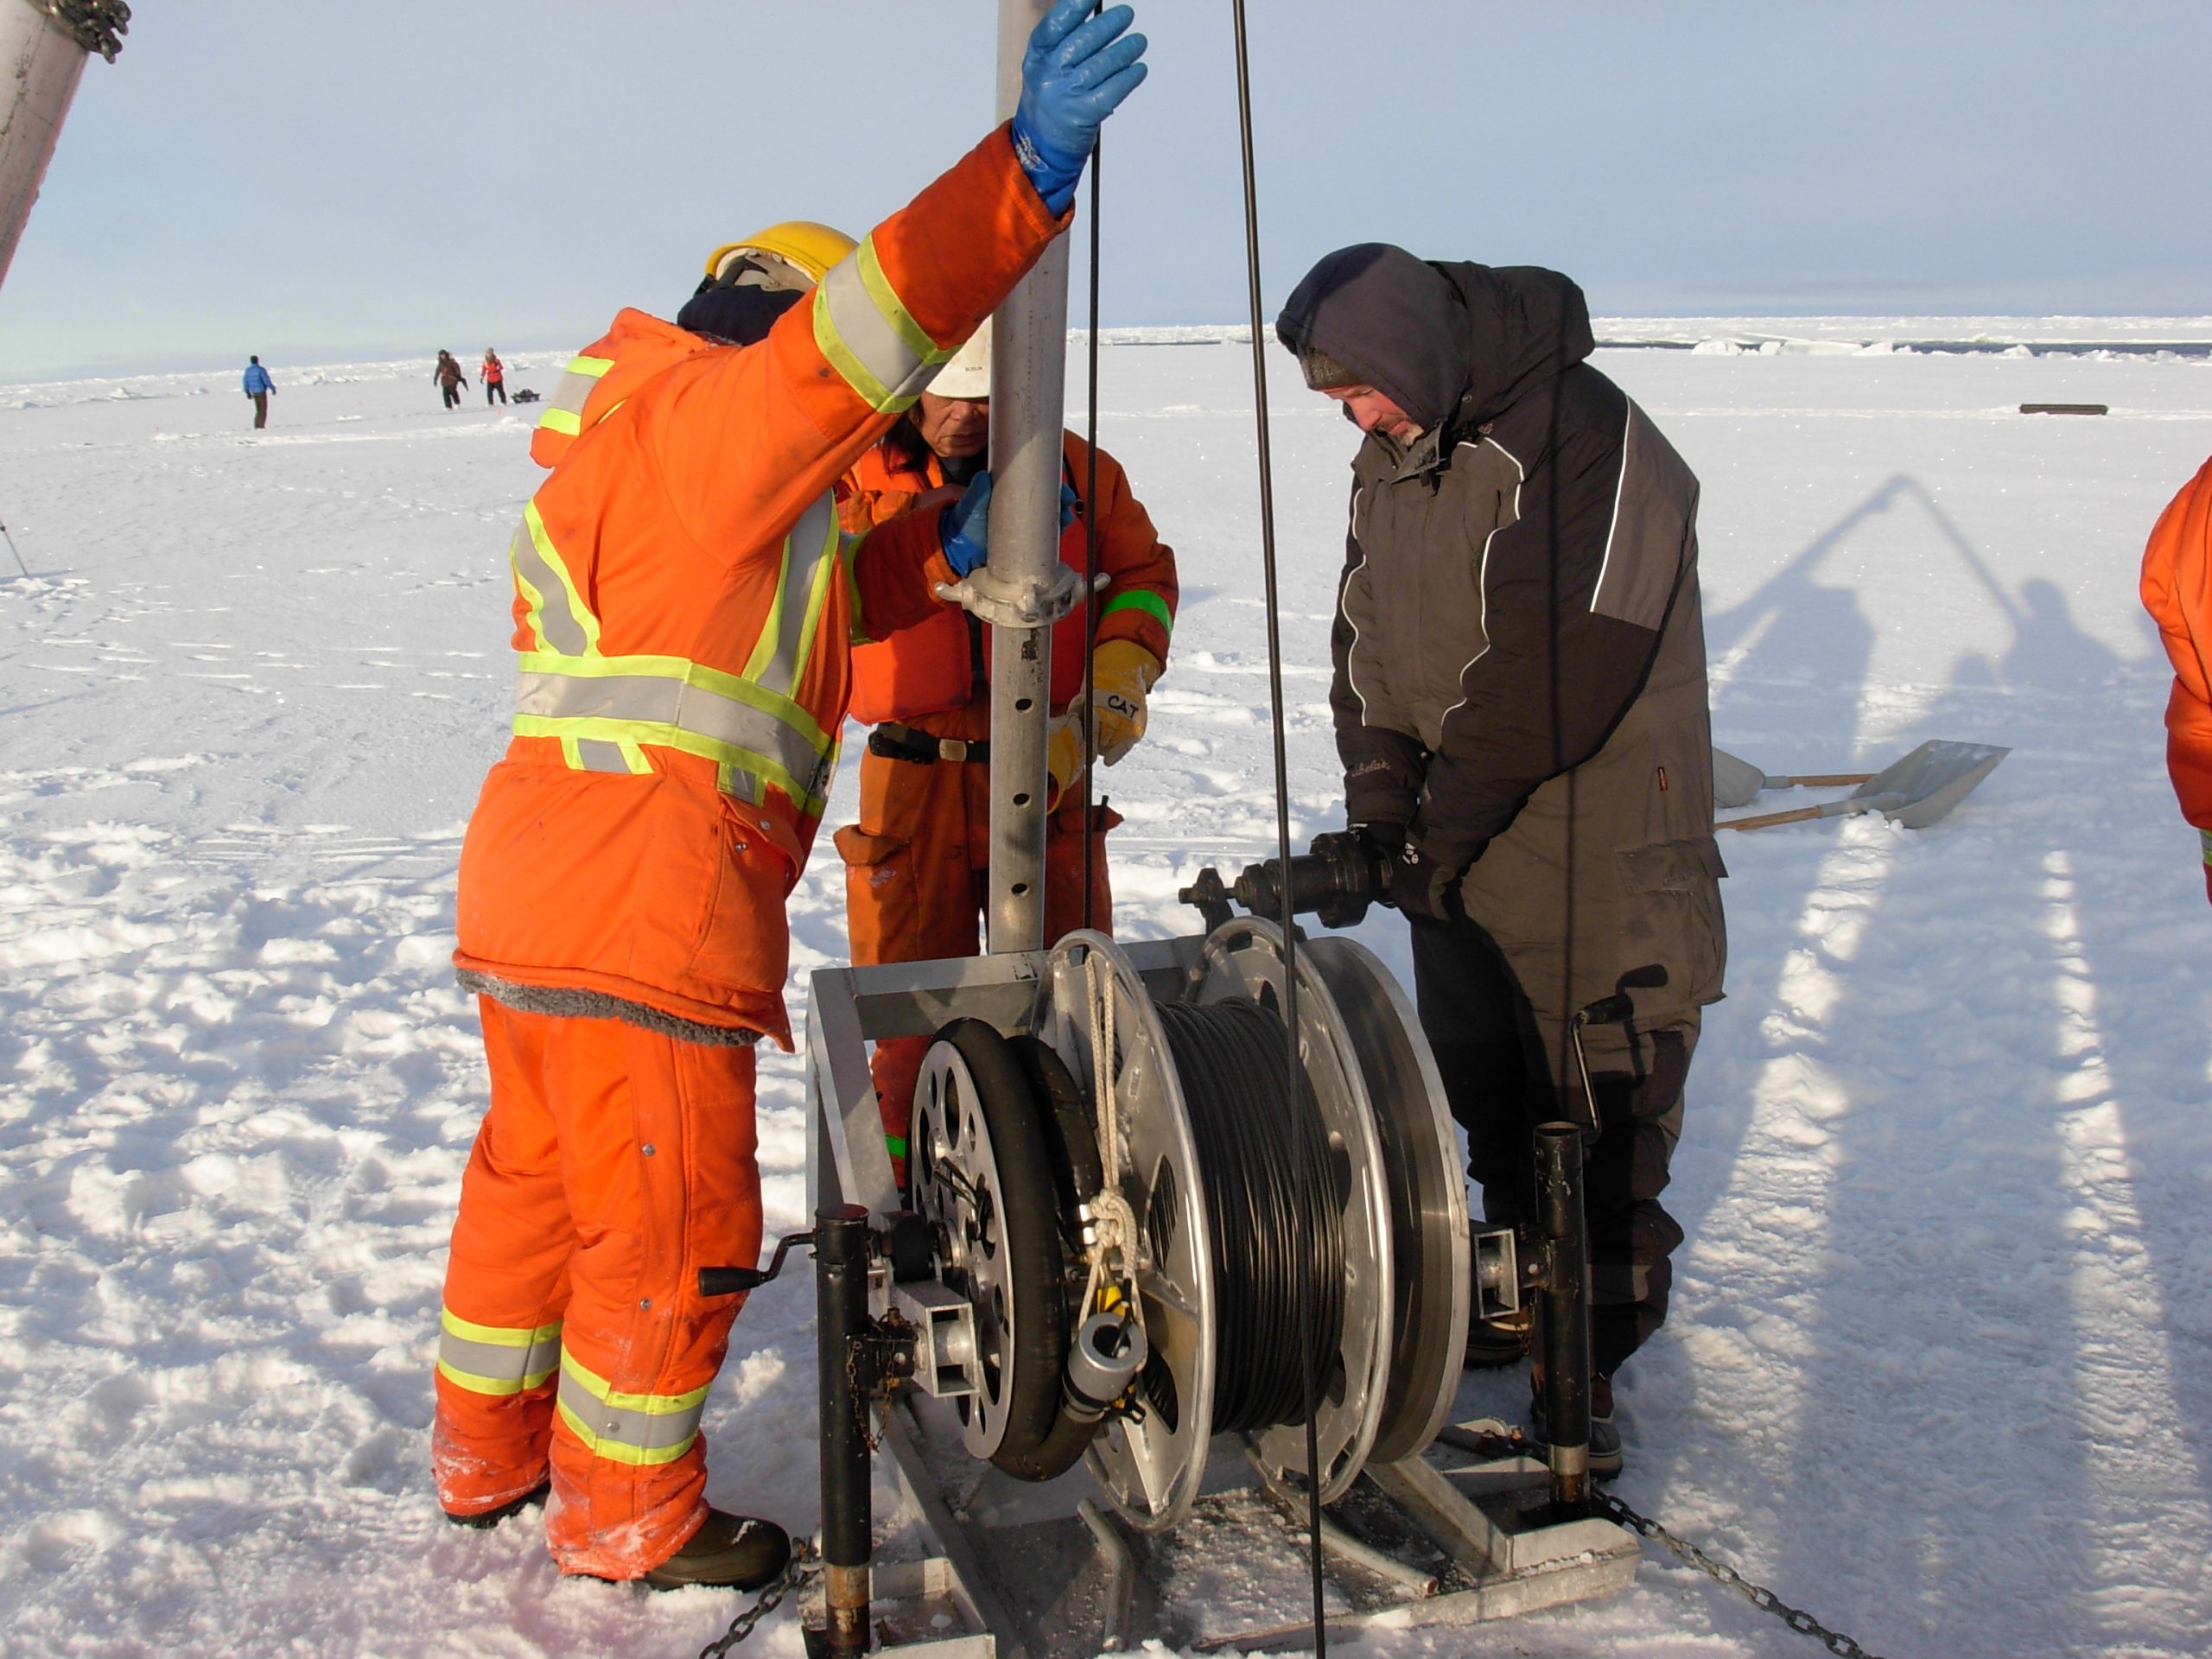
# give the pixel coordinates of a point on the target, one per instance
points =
(977, 1565)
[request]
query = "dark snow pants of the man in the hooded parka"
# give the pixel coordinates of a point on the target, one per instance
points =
(1501, 1087)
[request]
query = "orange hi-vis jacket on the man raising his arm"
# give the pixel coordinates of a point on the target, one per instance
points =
(682, 609)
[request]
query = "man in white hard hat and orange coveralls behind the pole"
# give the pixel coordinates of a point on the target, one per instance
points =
(917, 864)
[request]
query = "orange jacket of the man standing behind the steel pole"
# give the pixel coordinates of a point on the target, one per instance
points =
(926, 669)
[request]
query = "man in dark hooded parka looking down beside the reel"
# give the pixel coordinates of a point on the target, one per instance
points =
(1521, 709)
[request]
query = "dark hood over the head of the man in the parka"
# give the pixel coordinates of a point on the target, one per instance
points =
(1439, 337)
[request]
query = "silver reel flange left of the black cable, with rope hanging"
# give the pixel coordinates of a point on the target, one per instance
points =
(1149, 1468)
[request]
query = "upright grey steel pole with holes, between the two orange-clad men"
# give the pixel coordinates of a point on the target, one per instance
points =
(1030, 344)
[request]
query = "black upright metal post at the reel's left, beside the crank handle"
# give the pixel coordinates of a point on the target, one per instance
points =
(842, 1317)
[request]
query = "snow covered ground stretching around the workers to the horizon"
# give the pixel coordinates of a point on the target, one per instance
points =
(1941, 1357)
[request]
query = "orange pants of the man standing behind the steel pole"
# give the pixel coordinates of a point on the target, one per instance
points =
(917, 879)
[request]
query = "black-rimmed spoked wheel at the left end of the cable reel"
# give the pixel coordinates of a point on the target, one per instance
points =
(985, 1185)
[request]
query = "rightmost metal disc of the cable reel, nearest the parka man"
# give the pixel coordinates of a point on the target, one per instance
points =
(1428, 1196)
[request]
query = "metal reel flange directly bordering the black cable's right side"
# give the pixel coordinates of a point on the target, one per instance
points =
(1244, 959)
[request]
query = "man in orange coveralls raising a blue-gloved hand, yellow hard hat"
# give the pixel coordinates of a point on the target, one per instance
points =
(682, 609)
